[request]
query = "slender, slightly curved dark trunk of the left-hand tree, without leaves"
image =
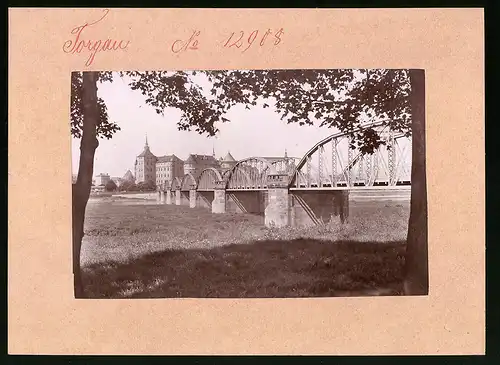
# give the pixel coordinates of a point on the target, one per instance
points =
(81, 189)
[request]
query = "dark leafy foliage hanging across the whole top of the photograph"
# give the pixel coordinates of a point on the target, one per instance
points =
(342, 99)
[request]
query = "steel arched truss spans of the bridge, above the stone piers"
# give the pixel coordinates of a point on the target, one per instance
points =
(330, 164)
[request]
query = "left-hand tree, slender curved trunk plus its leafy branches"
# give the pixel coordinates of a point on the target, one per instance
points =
(89, 121)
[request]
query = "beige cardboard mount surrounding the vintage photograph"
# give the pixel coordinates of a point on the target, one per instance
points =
(43, 317)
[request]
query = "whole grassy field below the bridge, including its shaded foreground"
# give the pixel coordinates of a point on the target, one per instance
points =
(143, 250)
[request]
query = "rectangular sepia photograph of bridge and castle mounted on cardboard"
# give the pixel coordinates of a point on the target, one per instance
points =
(249, 183)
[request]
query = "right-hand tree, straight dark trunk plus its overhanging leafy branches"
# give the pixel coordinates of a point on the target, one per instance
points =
(396, 96)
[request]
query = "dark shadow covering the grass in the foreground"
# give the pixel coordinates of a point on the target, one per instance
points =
(260, 269)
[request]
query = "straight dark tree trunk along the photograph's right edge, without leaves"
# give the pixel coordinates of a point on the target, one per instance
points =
(416, 274)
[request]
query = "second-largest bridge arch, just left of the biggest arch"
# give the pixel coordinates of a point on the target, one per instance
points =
(249, 173)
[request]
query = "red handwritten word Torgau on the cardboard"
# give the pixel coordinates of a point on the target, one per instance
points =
(77, 45)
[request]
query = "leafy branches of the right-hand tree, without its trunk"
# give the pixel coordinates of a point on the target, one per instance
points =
(342, 99)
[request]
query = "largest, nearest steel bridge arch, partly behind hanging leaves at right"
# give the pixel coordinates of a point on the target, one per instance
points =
(331, 162)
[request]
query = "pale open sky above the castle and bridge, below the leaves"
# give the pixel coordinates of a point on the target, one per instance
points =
(255, 132)
